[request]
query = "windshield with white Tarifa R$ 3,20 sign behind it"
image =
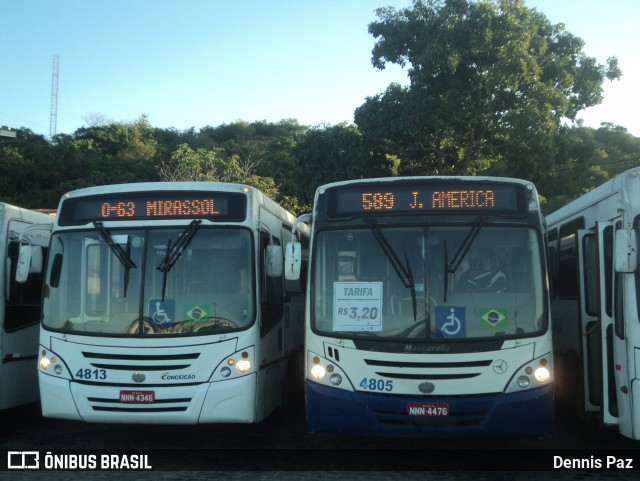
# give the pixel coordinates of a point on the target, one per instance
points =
(458, 282)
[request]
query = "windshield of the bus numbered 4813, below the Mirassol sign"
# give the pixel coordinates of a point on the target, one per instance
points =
(131, 289)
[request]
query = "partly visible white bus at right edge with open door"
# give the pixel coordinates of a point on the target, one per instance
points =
(593, 245)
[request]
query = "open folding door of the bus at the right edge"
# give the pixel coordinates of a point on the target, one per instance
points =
(595, 248)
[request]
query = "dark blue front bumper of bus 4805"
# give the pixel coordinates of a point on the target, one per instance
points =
(514, 415)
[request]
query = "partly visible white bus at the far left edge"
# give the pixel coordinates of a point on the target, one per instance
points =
(21, 303)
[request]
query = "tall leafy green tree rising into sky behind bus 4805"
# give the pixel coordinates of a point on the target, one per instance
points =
(488, 79)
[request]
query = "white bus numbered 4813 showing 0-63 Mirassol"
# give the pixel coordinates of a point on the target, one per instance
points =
(165, 303)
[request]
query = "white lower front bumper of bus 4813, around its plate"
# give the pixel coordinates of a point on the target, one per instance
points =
(229, 401)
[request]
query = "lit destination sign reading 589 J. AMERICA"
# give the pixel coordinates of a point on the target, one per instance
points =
(418, 197)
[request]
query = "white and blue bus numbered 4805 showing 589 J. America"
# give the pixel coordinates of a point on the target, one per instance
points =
(427, 309)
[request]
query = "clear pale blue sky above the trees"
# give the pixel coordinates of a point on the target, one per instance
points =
(198, 63)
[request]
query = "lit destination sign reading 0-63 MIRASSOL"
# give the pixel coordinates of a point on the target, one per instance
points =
(227, 206)
